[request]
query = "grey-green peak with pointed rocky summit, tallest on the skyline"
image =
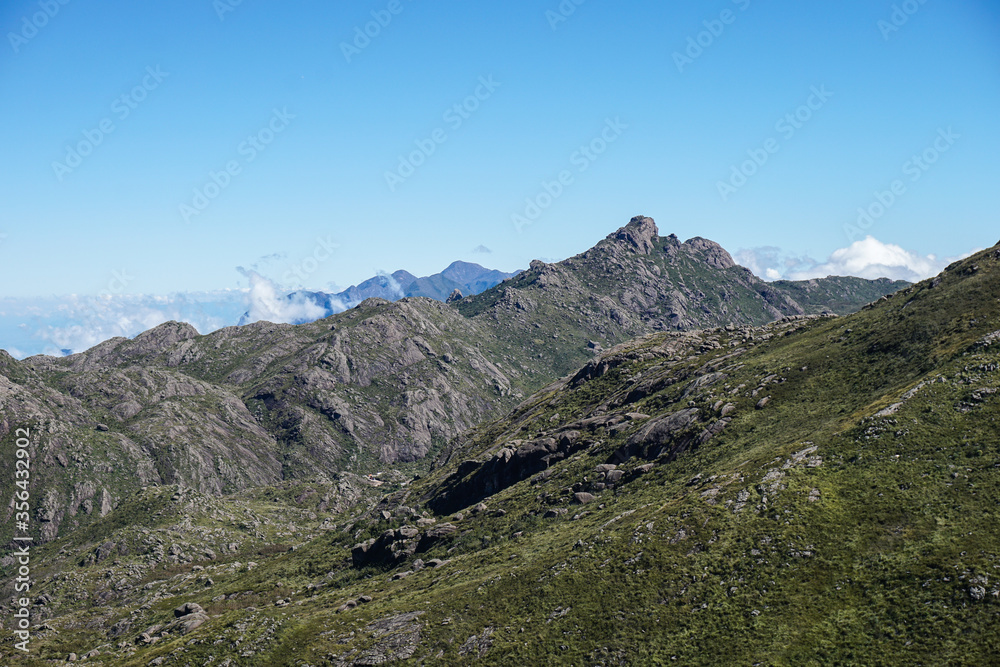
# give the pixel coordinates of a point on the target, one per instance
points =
(634, 282)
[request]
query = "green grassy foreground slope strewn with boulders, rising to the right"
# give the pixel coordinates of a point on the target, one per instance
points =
(815, 490)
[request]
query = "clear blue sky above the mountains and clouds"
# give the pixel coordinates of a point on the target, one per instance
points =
(324, 173)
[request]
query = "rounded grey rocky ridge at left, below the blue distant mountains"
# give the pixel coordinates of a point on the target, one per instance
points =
(250, 406)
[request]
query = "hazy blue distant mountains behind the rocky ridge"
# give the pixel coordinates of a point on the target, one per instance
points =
(465, 277)
